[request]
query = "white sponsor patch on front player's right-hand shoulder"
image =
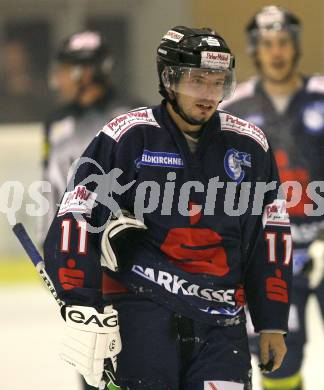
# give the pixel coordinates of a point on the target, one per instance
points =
(240, 126)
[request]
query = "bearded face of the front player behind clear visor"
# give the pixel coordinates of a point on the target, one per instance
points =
(199, 93)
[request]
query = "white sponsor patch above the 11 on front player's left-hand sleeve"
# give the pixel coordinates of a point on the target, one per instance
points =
(80, 200)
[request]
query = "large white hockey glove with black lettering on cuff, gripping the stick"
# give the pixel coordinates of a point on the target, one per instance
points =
(90, 338)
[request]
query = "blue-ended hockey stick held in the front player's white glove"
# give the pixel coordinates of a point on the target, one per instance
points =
(34, 255)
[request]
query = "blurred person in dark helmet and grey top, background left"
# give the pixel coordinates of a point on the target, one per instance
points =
(81, 76)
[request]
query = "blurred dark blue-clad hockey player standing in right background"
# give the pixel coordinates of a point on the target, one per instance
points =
(290, 109)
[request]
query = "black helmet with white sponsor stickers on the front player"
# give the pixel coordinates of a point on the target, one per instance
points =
(184, 47)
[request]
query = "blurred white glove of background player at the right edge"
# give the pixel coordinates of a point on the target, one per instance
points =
(316, 253)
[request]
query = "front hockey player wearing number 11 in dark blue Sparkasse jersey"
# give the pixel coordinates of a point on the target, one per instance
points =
(151, 205)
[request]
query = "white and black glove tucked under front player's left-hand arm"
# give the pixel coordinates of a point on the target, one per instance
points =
(118, 237)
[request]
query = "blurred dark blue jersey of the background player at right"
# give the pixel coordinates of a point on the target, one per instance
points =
(296, 136)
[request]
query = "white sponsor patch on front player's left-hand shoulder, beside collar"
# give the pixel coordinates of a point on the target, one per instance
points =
(119, 125)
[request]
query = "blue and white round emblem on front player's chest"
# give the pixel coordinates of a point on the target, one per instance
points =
(233, 162)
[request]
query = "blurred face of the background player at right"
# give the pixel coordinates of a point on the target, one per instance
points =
(276, 54)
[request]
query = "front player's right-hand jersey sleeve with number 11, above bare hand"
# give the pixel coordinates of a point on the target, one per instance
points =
(268, 254)
